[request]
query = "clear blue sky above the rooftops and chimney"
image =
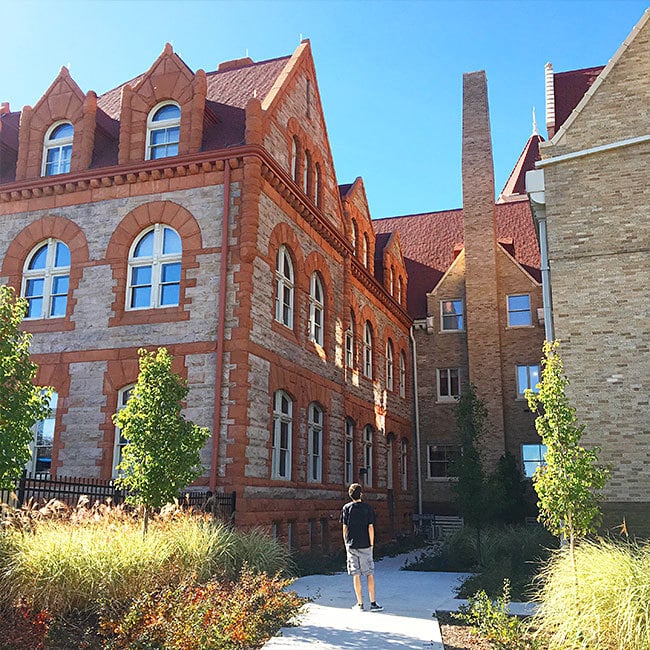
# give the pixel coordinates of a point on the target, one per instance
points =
(389, 72)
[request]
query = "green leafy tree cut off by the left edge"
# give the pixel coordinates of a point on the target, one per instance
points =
(21, 403)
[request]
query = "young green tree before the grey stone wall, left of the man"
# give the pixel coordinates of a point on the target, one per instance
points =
(161, 456)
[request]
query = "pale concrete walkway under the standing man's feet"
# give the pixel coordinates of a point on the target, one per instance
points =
(409, 598)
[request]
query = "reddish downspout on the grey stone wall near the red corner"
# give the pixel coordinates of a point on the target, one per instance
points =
(223, 274)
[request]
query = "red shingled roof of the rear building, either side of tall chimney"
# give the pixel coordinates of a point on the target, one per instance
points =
(428, 242)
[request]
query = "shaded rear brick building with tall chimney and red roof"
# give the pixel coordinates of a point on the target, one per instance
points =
(475, 296)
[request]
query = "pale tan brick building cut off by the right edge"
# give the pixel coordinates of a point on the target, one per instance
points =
(595, 221)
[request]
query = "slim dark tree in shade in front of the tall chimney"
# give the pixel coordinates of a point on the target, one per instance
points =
(470, 491)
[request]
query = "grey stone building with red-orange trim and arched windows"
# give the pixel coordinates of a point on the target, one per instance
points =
(200, 211)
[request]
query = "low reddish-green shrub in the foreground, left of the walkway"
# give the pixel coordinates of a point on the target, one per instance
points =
(216, 615)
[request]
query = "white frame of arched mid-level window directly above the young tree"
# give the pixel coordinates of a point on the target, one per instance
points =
(158, 260)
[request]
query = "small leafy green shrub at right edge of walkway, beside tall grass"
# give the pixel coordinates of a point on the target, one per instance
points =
(492, 620)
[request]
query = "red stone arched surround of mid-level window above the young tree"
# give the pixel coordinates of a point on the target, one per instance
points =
(117, 255)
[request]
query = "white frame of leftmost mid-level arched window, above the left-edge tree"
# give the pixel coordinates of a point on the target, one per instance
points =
(48, 274)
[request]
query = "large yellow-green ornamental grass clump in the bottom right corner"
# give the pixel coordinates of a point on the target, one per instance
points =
(610, 608)
